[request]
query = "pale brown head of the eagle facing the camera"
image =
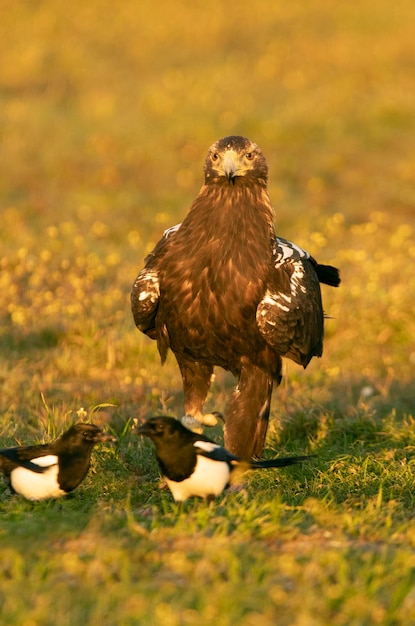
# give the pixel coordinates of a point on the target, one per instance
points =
(234, 159)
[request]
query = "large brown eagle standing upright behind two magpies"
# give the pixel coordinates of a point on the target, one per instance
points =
(220, 289)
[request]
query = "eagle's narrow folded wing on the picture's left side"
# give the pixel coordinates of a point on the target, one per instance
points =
(146, 288)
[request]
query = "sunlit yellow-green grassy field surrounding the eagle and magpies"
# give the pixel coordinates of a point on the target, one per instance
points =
(106, 113)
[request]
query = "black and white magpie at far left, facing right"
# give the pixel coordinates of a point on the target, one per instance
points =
(52, 470)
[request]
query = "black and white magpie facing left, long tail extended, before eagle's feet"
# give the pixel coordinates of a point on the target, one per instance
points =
(192, 464)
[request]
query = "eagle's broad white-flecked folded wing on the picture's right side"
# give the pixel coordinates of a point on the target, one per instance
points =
(290, 316)
